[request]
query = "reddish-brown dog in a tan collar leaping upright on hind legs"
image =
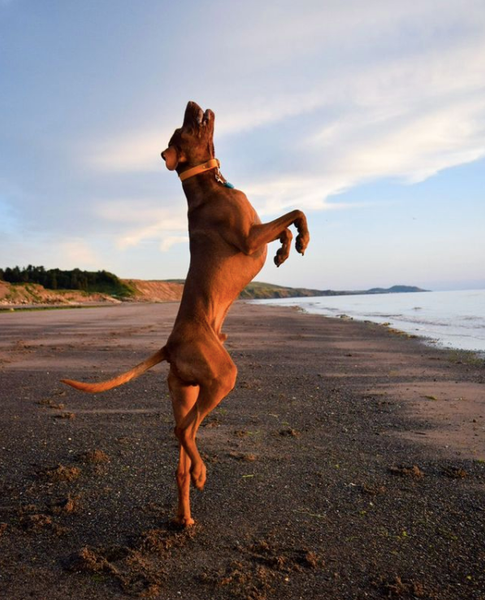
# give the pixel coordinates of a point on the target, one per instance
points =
(228, 249)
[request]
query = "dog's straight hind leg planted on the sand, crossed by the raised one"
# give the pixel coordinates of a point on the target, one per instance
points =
(183, 399)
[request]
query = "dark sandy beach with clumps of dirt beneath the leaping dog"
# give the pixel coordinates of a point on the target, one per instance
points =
(348, 463)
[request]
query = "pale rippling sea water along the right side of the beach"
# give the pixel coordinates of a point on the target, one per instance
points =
(449, 319)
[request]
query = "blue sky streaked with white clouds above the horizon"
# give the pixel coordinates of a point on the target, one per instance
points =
(367, 115)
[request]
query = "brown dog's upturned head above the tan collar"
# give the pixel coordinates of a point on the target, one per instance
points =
(191, 144)
